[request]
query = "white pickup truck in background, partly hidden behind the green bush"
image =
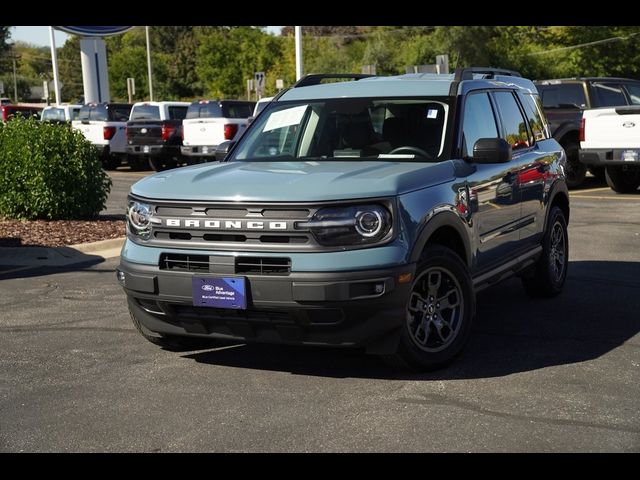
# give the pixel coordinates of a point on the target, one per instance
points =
(103, 124)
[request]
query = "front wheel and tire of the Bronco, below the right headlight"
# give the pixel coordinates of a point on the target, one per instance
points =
(433, 335)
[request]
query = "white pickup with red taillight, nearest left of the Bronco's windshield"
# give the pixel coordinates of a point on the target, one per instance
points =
(210, 122)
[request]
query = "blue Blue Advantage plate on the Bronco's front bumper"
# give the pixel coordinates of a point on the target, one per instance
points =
(219, 292)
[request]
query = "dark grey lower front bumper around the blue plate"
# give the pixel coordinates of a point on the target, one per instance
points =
(364, 308)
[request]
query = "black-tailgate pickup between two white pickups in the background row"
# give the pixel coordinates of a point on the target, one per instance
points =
(154, 134)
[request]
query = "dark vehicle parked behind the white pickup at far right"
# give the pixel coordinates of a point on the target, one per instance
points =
(565, 99)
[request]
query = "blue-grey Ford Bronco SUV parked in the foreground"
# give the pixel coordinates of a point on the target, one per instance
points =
(363, 213)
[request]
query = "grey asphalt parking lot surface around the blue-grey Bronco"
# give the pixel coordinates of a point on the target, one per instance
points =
(537, 375)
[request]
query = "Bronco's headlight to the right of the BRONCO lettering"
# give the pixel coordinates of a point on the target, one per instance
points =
(353, 225)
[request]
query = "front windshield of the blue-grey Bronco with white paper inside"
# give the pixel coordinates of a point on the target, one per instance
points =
(374, 129)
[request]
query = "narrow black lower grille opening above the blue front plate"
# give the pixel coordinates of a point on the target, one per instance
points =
(225, 264)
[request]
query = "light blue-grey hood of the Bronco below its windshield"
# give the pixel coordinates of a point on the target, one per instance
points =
(292, 181)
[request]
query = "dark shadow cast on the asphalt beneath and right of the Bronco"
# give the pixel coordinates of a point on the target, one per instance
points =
(596, 313)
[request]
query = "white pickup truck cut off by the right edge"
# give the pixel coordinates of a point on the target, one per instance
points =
(610, 137)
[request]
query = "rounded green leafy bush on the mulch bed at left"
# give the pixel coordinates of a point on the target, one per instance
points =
(49, 171)
